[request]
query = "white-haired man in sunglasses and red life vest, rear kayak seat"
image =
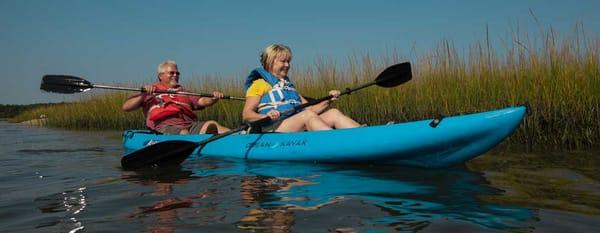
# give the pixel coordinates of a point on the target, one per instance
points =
(171, 113)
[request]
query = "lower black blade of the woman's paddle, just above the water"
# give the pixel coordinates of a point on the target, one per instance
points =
(162, 154)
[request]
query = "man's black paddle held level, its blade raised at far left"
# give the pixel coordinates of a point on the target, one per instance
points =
(68, 84)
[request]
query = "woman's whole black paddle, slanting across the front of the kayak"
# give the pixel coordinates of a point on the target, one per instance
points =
(176, 151)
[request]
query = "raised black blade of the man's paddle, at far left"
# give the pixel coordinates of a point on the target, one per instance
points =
(65, 84)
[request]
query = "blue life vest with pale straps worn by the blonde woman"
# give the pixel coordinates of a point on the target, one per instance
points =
(282, 96)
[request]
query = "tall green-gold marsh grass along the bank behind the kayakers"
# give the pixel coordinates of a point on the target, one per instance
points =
(558, 79)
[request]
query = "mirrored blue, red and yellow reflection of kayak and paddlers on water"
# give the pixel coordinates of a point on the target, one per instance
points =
(282, 196)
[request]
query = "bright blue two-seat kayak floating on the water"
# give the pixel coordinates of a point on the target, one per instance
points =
(427, 143)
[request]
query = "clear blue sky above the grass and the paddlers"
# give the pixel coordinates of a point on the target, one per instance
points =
(110, 41)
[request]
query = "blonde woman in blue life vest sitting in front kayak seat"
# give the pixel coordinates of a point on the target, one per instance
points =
(270, 93)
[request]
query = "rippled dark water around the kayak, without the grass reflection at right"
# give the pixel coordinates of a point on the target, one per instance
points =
(66, 181)
